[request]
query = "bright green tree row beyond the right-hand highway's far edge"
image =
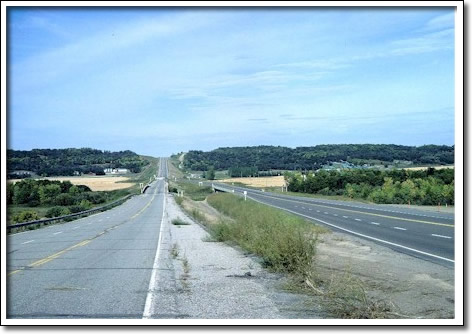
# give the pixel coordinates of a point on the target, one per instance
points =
(428, 187)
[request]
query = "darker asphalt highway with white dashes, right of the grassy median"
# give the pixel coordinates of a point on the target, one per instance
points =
(426, 235)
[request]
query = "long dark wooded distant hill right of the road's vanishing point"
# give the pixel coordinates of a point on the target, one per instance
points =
(277, 157)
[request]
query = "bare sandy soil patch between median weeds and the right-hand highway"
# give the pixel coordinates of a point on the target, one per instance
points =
(418, 288)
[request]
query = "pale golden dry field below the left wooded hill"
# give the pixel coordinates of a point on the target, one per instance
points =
(96, 183)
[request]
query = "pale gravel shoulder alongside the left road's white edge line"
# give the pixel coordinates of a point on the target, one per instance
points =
(202, 279)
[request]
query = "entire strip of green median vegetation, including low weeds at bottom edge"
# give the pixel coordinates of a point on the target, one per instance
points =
(287, 244)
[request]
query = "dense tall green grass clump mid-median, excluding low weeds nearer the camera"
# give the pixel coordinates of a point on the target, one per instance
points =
(284, 242)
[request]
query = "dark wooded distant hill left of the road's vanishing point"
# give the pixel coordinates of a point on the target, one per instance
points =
(65, 162)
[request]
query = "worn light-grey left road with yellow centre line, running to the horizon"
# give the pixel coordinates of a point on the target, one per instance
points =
(95, 267)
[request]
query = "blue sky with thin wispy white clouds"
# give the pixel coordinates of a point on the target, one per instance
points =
(159, 81)
